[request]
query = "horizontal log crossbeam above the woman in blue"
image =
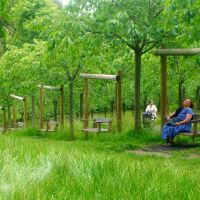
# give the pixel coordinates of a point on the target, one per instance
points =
(177, 52)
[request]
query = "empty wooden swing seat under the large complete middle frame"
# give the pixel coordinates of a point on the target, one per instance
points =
(97, 125)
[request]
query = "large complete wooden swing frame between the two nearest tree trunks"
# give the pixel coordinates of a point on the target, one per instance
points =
(118, 79)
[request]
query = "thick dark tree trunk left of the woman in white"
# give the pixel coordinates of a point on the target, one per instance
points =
(138, 65)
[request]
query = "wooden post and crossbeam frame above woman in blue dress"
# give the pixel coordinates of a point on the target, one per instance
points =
(163, 53)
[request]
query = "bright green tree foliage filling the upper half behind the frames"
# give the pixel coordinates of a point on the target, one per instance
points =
(47, 42)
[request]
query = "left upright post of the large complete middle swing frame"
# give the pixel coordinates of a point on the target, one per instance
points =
(85, 120)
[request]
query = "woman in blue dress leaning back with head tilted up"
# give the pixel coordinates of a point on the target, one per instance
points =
(179, 121)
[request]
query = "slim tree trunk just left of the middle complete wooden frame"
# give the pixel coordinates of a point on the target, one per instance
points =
(71, 111)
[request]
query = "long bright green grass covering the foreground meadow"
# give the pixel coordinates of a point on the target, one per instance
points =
(52, 167)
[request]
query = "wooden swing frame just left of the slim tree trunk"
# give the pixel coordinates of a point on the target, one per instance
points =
(41, 103)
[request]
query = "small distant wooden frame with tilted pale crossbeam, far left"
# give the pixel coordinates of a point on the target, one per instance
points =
(24, 99)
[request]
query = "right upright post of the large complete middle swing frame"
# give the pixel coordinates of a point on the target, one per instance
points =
(119, 101)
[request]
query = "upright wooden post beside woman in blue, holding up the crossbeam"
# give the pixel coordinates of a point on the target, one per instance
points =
(163, 89)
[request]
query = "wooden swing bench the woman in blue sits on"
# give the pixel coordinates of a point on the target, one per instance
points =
(194, 133)
